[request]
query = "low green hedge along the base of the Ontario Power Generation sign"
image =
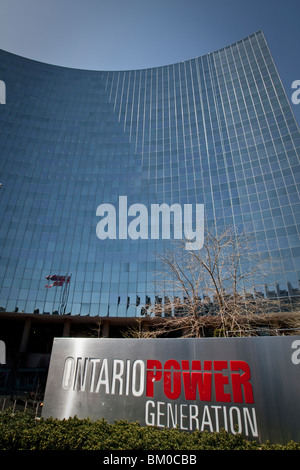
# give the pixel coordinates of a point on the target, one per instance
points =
(21, 431)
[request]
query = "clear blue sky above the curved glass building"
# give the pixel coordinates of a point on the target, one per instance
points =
(132, 34)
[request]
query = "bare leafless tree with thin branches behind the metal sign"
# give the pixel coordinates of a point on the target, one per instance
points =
(213, 288)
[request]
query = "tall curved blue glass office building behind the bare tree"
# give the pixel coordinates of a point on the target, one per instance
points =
(216, 130)
